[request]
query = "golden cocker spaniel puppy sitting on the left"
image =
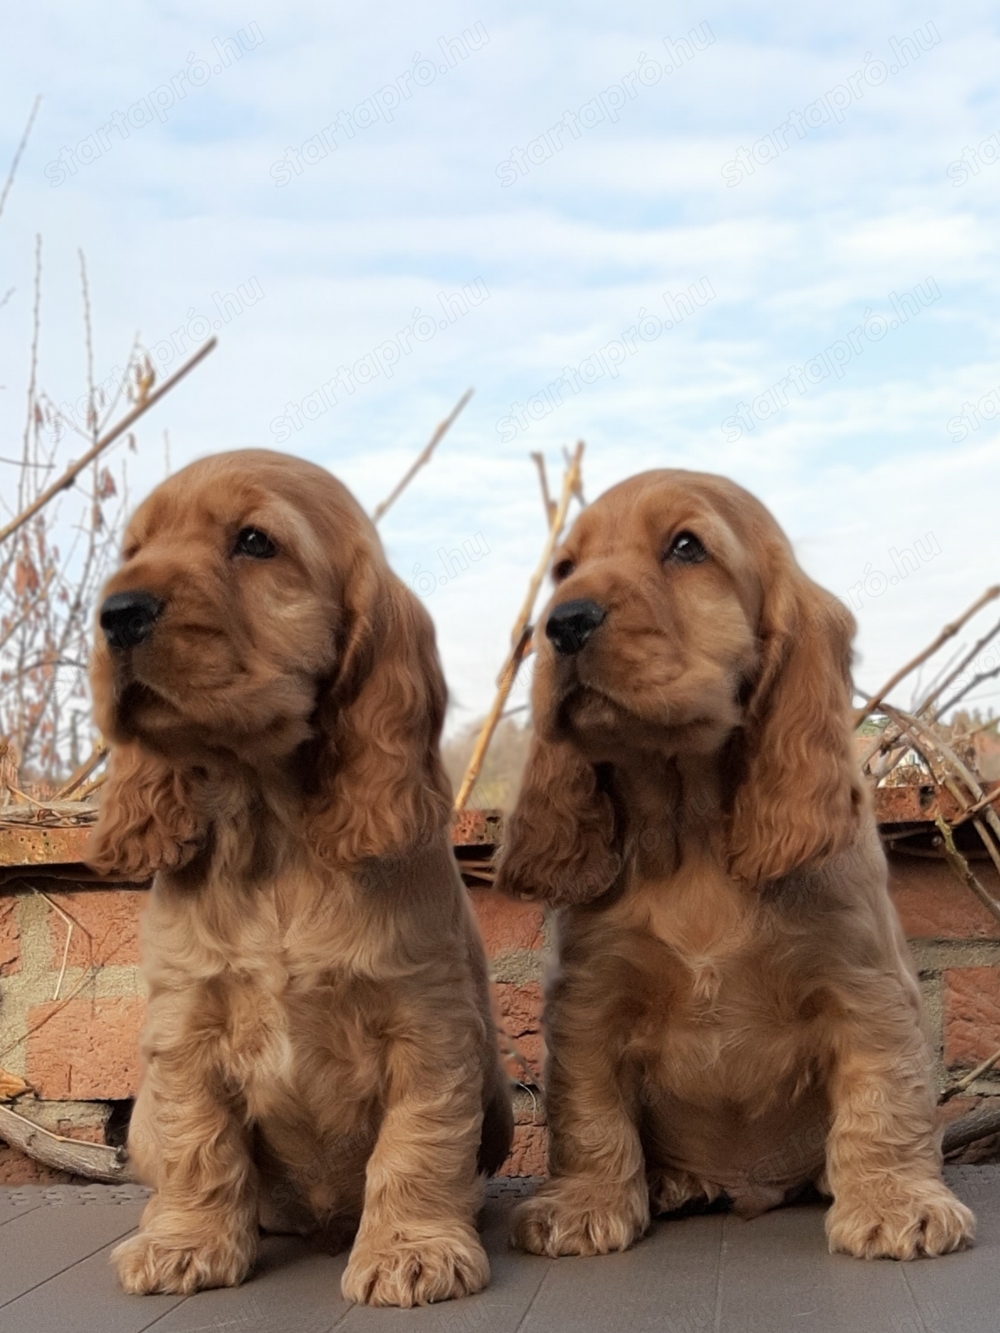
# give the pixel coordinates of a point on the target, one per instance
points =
(319, 1051)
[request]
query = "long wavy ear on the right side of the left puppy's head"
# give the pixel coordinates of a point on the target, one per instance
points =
(382, 787)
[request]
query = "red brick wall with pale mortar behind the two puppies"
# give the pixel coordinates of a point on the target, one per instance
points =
(81, 1050)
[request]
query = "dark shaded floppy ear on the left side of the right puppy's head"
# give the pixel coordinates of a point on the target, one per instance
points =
(562, 842)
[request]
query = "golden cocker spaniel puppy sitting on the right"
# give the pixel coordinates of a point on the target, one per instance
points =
(734, 1012)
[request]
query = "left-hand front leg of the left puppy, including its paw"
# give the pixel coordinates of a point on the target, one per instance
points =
(201, 1227)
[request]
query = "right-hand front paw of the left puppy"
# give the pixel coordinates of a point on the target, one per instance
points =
(417, 1271)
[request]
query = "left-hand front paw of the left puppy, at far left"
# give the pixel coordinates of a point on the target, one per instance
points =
(147, 1264)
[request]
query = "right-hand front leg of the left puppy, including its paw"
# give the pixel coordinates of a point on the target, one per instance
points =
(418, 1238)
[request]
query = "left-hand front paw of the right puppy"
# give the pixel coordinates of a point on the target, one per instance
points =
(579, 1218)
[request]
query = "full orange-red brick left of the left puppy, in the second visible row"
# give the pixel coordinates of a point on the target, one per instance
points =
(86, 1050)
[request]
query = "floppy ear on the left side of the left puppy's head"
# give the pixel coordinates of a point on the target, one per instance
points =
(147, 822)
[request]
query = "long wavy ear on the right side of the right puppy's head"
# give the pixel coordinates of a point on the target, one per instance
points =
(801, 790)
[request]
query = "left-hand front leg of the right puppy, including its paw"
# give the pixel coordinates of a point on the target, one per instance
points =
(597, 1199)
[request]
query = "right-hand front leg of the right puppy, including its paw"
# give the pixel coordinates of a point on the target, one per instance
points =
(883, 1156)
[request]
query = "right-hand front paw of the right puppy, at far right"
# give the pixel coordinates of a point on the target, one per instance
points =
(891, 1222)
